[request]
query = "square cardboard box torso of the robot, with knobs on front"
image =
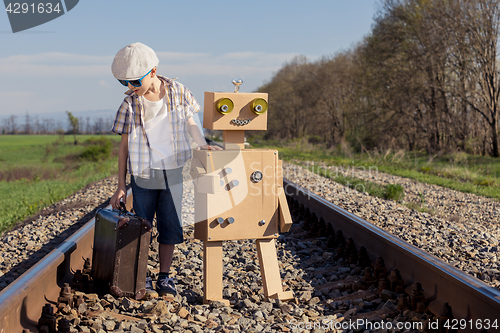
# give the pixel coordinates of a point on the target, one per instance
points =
(227, 191)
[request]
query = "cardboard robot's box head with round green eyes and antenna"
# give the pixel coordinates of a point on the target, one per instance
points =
(235, 111)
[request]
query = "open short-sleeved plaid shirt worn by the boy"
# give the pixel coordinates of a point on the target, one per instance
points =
(181, 105)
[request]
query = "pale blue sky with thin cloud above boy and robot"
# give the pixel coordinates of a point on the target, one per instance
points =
(65, 64)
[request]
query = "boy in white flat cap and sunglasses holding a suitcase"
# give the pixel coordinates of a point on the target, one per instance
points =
(153, 121)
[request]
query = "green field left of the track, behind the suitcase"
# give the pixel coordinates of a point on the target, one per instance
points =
(39, 170)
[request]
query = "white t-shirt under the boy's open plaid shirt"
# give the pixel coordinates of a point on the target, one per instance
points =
(159, 132)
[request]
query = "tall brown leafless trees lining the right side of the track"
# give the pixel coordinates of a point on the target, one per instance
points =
(426, 77)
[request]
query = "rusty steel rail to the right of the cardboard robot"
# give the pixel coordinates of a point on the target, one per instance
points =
(469, 297)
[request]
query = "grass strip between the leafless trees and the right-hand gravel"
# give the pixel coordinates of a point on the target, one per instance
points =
(479, 175)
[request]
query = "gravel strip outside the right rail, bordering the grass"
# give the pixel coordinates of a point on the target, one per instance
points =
(466, 234)
